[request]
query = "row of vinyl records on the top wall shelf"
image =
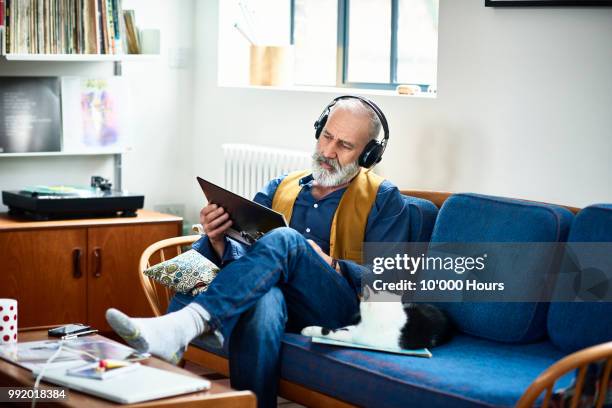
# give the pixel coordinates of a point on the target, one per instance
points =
(63, 26)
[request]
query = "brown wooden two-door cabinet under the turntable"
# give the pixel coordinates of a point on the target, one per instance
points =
(72, 271)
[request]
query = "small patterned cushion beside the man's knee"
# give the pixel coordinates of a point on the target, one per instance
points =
(190, 272)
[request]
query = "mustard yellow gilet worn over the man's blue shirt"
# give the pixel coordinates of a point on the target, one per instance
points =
(349, 223)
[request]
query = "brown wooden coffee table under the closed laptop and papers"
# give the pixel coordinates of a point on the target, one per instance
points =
(219, 396)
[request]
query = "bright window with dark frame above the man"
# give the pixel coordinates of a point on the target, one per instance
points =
(344, 43)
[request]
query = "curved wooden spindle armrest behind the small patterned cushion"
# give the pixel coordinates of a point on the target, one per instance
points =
(157, 295)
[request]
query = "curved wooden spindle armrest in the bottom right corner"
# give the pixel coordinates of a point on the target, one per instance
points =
(579, 360)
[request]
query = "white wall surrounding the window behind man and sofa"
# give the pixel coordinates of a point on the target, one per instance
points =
(523, 110)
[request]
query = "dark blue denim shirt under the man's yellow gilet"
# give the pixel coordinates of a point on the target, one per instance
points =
(388, 221)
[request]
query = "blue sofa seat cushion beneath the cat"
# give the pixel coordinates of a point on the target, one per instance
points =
(467, 372)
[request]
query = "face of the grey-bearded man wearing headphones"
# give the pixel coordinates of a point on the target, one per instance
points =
(341, 142)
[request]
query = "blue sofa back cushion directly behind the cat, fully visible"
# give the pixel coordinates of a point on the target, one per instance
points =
(479, 218)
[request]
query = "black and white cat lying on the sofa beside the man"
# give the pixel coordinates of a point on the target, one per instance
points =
(391, 324)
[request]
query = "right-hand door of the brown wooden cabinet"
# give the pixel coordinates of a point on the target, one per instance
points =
(113, 279)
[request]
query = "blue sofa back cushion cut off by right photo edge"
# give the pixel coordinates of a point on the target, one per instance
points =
(573, 326)
